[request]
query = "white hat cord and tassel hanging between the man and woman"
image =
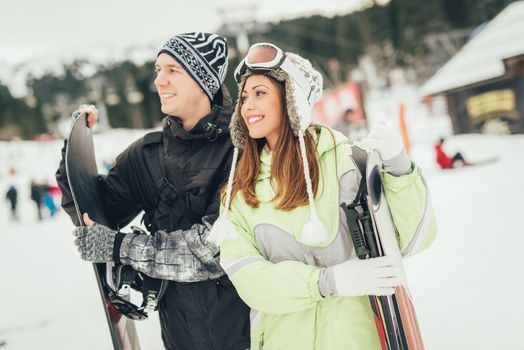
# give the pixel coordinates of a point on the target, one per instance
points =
(223, 229)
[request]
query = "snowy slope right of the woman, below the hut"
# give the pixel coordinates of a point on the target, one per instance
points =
(467, 287)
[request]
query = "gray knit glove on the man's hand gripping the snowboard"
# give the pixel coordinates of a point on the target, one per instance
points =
(95, 243)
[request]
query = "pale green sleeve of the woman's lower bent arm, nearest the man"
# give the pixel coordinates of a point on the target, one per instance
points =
(280, 288)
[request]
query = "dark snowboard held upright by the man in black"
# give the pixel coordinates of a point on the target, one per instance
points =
(82, 175)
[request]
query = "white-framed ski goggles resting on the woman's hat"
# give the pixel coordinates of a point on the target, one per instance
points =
(265, 57)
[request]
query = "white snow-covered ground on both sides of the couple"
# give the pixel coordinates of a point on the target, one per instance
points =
(467, 287)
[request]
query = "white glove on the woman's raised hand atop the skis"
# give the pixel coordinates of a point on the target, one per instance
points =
(386, 140)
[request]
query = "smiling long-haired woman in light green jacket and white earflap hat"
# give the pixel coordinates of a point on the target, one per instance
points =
(281, 233)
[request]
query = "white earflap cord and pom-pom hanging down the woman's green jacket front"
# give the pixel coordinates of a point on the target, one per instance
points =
(314, 231)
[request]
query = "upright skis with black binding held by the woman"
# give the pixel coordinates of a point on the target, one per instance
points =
(373, 234)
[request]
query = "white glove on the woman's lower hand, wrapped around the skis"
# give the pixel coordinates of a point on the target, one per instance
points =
(376, 276)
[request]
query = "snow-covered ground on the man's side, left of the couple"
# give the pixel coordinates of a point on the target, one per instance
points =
(50, 296)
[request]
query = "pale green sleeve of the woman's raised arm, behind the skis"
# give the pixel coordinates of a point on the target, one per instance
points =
(410, 205)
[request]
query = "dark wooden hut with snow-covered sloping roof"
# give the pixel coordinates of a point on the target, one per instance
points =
(484, 82)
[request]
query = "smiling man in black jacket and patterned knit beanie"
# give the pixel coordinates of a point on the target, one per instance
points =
(200, 308)
